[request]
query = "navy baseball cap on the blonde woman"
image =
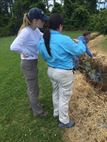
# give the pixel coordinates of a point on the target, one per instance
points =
(36, 13)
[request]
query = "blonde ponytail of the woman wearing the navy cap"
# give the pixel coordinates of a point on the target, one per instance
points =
(26, 22)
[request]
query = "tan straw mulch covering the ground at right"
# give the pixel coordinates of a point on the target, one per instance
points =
(88, 106)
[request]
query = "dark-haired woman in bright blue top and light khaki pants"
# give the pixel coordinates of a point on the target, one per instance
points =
(58, 51)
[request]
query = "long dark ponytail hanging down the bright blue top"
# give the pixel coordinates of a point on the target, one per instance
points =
(46, 37)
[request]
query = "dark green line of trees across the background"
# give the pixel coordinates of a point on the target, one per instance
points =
(78, 14)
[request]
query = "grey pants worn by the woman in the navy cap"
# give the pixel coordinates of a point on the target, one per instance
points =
(30, 71)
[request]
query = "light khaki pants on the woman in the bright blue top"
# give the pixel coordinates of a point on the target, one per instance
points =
(62, 82)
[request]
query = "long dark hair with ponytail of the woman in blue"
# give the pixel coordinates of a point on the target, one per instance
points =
(54, 22)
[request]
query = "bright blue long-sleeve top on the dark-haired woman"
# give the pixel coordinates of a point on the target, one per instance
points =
(63, 49)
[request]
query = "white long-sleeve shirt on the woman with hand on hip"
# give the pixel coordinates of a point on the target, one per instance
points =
(26, 43)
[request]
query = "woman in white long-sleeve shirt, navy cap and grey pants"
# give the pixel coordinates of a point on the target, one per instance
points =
(26, 44)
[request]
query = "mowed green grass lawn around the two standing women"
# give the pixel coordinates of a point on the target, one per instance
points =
(17, 123)
